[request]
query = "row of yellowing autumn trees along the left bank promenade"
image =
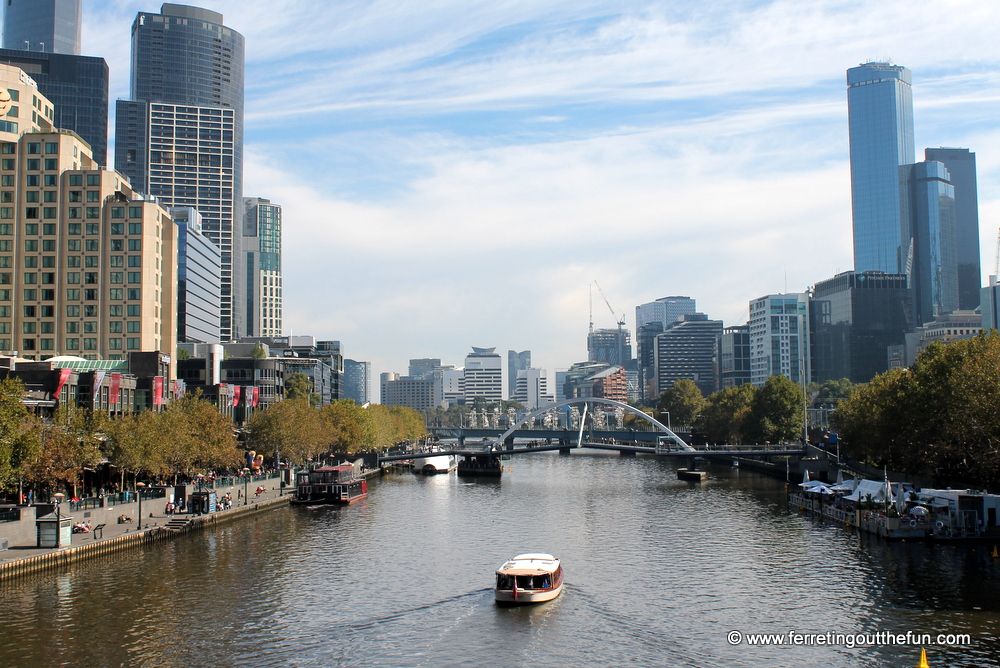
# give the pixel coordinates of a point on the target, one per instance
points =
(188, 437)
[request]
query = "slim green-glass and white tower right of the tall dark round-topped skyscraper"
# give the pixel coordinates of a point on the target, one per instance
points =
(262, 245)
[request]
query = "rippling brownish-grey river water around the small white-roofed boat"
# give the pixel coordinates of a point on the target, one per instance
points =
(658, 573)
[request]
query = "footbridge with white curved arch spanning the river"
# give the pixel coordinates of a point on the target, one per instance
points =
(658, 440)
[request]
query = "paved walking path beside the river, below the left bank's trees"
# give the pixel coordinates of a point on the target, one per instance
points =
(158, 519)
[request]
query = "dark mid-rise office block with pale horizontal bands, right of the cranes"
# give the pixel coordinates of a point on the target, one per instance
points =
(686, 349)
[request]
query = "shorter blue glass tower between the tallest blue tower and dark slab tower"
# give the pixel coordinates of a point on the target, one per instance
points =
(930, 209)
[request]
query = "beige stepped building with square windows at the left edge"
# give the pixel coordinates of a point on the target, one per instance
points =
(90, 266)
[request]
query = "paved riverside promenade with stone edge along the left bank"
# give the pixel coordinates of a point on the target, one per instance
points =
(118, 535)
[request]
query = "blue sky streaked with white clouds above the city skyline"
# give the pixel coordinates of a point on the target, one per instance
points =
(459, 173)
